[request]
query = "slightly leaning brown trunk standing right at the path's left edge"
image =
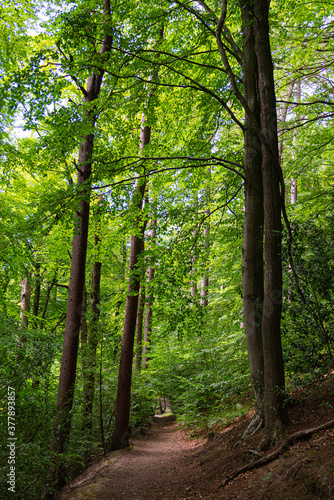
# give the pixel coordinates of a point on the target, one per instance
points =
(120, 437)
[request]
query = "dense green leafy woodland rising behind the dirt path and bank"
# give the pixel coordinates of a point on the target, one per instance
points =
(137, 111)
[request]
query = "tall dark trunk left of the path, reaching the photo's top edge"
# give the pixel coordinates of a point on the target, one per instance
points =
(62, 424)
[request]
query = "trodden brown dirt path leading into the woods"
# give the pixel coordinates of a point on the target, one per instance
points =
(159, 465)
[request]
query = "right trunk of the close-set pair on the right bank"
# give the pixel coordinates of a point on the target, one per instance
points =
(275, 412)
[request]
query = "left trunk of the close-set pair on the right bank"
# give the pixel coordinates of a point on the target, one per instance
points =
(252, 249)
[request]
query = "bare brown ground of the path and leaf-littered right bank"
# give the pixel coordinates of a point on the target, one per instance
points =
(167, 464)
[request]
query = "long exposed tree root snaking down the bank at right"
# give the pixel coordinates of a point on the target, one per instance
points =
(283, 448)
